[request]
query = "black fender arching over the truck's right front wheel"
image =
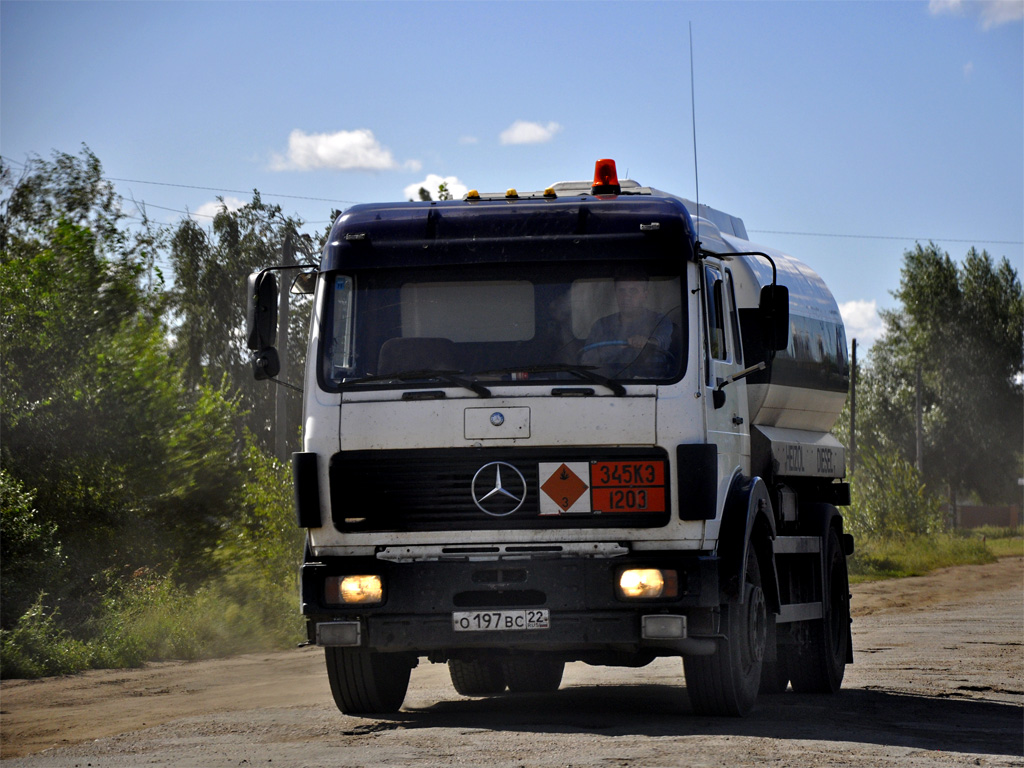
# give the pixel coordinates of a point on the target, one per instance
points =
(748, 522)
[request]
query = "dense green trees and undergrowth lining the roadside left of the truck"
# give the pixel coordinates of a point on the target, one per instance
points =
(126, 464)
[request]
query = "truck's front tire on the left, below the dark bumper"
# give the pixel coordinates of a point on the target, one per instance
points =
(364, 682)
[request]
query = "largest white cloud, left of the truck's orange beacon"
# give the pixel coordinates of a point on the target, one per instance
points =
(344, 151)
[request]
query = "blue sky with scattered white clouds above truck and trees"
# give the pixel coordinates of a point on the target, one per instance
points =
(842, 134)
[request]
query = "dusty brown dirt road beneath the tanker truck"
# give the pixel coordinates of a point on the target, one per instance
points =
(938, 681)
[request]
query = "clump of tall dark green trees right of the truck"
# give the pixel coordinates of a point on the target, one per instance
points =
(962, 325)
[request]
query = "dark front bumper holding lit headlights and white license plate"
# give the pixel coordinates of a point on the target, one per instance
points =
(586, 615)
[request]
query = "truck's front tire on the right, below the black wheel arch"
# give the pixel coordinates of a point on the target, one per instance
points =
(728, 682)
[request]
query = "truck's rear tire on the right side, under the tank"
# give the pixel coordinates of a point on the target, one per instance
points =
(821, 663)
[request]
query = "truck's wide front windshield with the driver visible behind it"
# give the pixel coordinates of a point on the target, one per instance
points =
(507, 323)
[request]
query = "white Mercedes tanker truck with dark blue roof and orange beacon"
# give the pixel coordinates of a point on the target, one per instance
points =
(585, 424)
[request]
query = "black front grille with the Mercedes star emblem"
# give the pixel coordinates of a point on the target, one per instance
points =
(423, 491)
